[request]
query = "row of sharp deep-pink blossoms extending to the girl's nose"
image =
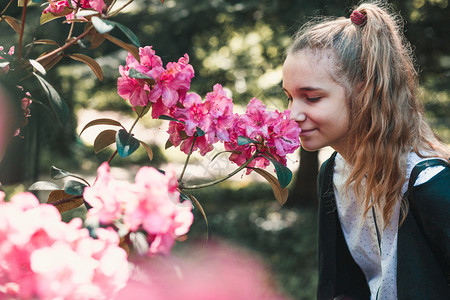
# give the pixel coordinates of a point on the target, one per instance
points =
(198, 123)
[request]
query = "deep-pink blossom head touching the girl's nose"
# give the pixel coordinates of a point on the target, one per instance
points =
(274, 133)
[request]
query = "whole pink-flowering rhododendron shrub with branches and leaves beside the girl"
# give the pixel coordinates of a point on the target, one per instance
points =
(43, 257)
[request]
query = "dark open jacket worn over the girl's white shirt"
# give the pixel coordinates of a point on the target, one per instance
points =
(423, 249)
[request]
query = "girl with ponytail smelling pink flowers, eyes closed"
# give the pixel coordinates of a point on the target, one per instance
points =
(352, 85)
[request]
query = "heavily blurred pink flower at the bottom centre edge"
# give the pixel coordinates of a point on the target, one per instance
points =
(215, 272)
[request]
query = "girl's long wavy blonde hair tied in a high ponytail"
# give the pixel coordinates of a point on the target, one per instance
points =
(386, 118)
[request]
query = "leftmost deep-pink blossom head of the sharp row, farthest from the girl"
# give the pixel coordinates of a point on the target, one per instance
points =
(165, 87)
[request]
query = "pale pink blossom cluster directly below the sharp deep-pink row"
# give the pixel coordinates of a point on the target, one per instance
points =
(151, 204)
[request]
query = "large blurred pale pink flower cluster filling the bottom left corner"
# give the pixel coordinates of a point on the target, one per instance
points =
(42, 257)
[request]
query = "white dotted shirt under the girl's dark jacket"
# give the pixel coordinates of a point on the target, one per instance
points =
(375, 253)
